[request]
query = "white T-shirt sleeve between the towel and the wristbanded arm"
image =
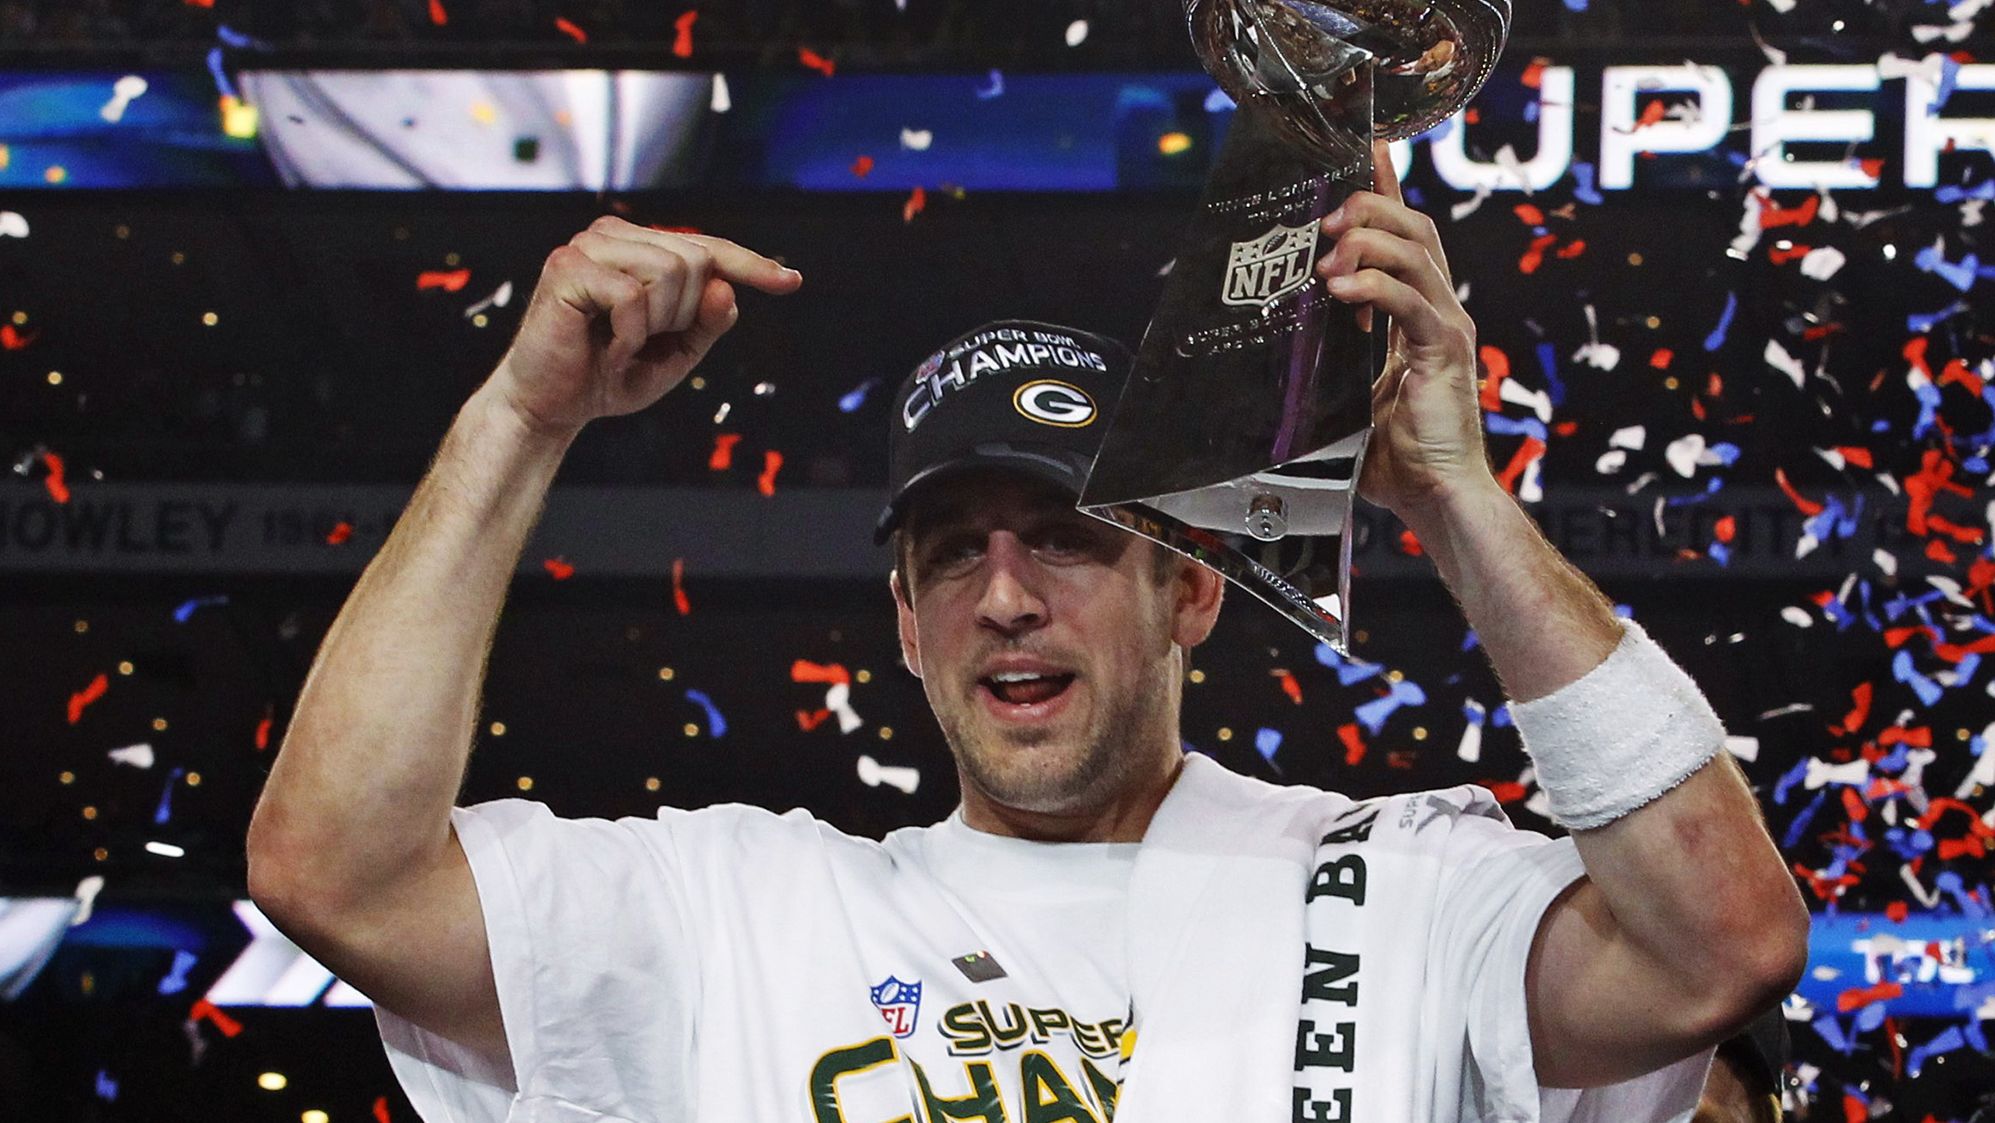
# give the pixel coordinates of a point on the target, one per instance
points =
(1497, 889)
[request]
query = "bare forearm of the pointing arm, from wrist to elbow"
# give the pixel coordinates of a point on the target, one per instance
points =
(378, 745)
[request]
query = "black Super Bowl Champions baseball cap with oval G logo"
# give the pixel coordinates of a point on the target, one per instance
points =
(1014, 394)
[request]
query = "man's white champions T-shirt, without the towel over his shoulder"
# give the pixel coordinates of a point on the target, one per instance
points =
(735, 964)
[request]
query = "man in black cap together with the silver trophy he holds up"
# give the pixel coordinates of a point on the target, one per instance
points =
(1106, 929)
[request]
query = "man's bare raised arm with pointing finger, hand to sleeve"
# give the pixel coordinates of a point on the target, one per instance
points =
(352, 849)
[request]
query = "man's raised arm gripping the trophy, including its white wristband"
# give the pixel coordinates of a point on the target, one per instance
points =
(1687, 923)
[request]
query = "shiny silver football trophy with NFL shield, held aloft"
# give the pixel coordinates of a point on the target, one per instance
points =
(1242, 432)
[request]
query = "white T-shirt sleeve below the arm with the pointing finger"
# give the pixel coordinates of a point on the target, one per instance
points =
(596, 968)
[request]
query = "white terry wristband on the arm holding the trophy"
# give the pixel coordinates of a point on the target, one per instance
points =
(1621, 735)
